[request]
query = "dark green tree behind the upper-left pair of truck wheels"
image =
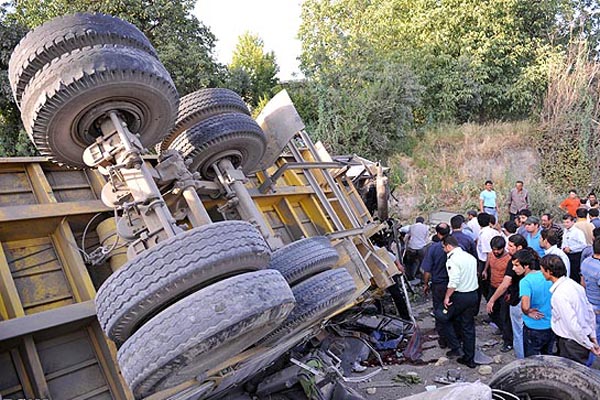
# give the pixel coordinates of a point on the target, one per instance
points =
(166, 23)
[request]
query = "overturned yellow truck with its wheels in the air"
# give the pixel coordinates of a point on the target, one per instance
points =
(202, 272)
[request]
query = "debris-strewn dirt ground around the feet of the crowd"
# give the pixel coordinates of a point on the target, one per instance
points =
(384, 385)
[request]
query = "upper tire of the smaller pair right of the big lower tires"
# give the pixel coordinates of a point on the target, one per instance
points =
(304, 258)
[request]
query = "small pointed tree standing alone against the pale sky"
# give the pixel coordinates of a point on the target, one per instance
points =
(253, 73)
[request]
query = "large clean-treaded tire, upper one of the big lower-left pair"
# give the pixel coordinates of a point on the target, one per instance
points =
(174, 268)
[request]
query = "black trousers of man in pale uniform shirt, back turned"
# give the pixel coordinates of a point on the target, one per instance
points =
(462, 311)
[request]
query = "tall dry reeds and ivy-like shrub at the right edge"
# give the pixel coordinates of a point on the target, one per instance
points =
(569, 136)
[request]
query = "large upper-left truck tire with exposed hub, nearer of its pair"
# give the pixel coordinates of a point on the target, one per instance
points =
(63, 102)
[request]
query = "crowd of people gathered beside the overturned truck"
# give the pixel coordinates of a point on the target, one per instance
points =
(540, 280)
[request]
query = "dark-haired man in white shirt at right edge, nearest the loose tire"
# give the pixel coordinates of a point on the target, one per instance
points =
(573, 318)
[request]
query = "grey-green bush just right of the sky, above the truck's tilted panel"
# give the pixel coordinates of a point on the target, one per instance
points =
(367, 111)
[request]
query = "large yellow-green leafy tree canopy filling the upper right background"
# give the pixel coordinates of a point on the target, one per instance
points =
(478, 60)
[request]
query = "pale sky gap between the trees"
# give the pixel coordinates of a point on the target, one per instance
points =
(276, 22)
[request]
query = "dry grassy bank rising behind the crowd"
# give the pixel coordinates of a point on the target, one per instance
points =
(451, 163)
